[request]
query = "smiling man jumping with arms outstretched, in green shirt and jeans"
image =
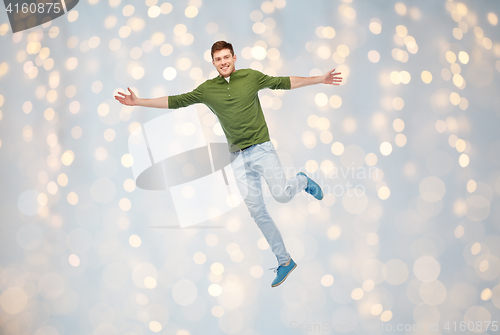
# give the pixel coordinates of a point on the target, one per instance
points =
(233, 97)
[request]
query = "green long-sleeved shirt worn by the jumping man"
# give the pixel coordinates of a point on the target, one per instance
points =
(236, 104)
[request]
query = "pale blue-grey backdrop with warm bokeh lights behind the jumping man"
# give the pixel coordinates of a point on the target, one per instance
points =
(84, 251)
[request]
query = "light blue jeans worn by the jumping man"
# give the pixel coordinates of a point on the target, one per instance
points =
(248, 166)
